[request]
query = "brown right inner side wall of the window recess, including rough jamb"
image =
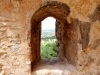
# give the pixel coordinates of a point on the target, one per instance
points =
(68, 37)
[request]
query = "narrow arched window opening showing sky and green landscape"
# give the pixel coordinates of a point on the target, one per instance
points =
(48, 38)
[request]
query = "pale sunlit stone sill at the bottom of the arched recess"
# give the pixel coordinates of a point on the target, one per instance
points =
(54, 66)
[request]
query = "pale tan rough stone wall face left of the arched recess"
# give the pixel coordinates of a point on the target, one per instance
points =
(14, 36)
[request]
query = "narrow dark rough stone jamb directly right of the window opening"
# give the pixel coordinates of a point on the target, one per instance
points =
(60, 45)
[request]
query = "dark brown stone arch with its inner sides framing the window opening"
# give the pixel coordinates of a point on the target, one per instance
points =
(59, 11)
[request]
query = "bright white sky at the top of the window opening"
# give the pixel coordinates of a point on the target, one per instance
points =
(48, 23)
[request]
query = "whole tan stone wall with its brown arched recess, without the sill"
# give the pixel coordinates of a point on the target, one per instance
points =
(77, 32)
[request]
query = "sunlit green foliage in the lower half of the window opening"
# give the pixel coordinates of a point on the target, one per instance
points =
(48, 47)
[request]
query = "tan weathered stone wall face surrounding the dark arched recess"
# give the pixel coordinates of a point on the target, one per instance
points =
(15, 35)
